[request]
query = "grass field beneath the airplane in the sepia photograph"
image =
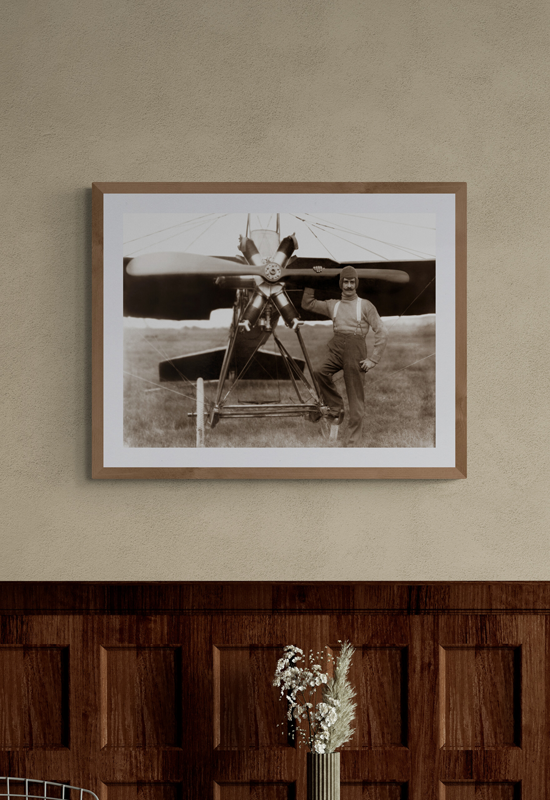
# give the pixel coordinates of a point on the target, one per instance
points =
(400, 402)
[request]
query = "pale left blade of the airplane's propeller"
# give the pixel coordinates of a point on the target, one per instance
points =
(187, 264)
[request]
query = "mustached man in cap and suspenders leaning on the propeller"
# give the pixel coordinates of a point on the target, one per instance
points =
(352, 318)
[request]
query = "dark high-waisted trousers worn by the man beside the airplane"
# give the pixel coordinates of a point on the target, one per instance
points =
(345, 351)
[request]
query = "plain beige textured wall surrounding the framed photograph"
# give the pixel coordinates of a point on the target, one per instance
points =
(382, 90)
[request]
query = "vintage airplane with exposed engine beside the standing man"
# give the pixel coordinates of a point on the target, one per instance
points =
(263, 284)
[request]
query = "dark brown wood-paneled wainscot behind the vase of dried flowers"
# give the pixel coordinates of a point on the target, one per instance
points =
(164, 691)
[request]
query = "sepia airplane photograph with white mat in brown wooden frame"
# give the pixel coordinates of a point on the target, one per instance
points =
(279, 330)
